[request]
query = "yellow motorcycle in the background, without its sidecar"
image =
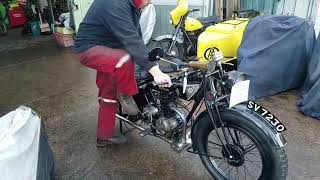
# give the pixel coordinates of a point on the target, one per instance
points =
(182, 43)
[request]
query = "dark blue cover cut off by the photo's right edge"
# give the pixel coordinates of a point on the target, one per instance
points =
(309, 104)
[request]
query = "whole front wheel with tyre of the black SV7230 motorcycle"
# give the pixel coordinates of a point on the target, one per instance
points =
(248, 155)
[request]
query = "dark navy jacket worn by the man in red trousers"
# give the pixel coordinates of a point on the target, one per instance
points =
(115, 24)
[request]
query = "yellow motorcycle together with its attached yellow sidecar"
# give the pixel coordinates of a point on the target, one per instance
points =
(192, 38)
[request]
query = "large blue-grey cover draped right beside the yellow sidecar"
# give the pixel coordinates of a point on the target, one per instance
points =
(274, 53)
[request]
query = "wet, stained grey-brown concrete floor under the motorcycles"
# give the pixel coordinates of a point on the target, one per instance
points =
(48, 79)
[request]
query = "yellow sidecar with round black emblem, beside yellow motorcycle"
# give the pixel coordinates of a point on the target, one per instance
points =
(226, 36)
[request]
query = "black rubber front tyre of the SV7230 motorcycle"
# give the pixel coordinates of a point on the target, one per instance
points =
(275, 157)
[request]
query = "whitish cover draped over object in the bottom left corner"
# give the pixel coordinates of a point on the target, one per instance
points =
(24, 149)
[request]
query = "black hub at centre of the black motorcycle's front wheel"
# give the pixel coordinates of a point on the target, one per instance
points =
(236, 156)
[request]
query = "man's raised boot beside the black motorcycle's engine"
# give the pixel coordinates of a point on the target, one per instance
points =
(128, 104)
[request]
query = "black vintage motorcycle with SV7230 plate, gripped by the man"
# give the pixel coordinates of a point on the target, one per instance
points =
(239, 142)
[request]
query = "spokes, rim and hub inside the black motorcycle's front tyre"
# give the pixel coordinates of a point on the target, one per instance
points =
(240, 159)
